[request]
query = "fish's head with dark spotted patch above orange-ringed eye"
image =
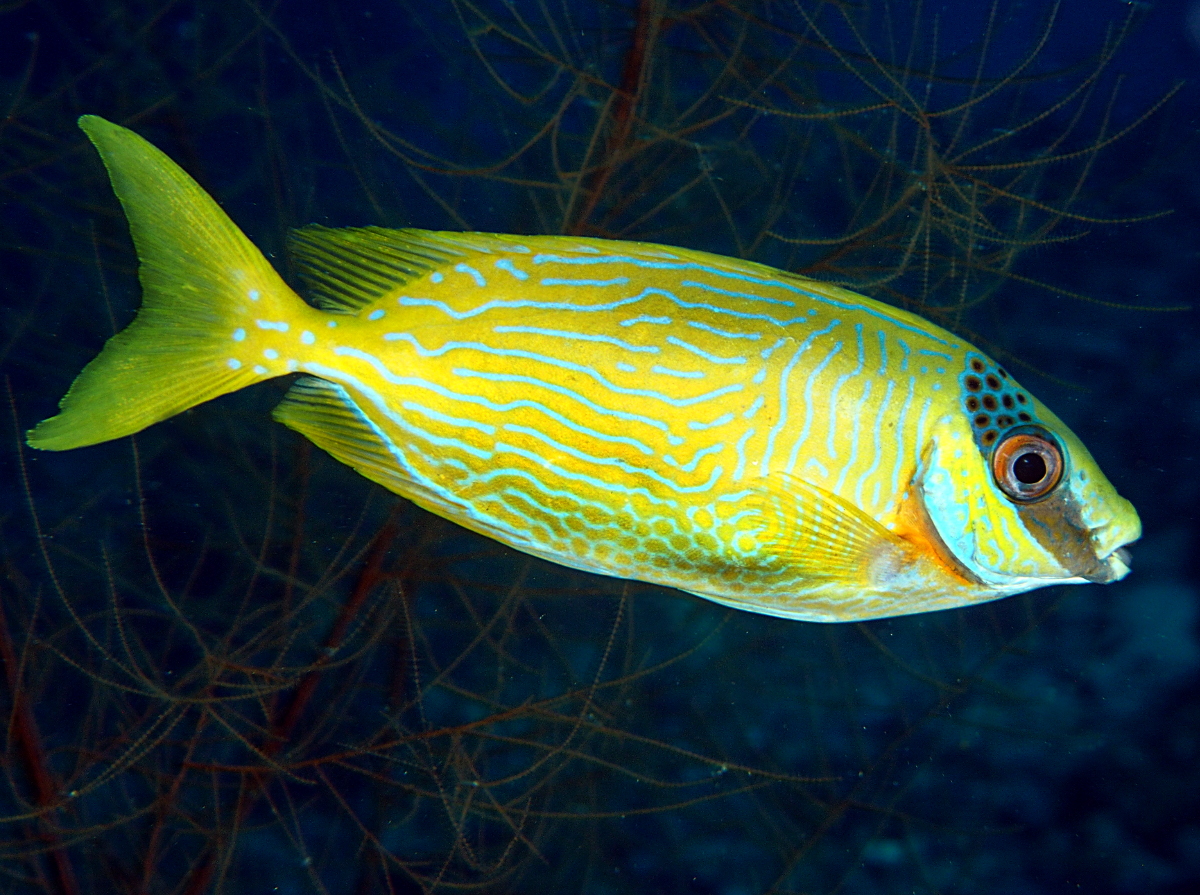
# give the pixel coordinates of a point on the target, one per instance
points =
(1016, 498)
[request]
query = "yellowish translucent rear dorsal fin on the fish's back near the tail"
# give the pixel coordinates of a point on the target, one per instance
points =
(350, 268)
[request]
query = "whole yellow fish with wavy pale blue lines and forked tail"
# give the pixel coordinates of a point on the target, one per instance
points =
(747, 435)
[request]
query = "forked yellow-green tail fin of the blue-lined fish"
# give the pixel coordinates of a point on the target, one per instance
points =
(200, 278)
